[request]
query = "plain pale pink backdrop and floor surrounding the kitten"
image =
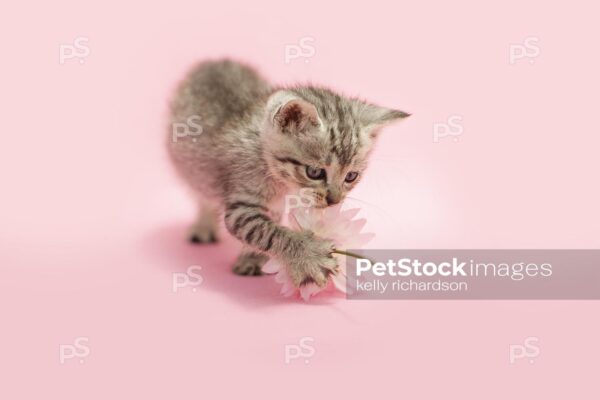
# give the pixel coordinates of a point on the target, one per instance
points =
(93, 219)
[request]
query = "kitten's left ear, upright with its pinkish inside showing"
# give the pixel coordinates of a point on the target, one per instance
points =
(290, 114)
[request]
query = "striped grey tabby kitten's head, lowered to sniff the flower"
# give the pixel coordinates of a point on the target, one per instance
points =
(319, 140)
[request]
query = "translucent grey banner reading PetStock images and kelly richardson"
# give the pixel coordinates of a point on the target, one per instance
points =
(474, 274)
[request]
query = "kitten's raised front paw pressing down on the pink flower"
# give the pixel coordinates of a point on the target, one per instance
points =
(313, 263)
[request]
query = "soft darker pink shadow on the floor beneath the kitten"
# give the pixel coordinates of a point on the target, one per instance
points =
(174, 253)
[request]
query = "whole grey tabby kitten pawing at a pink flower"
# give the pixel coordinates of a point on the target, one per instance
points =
(259, 143)
